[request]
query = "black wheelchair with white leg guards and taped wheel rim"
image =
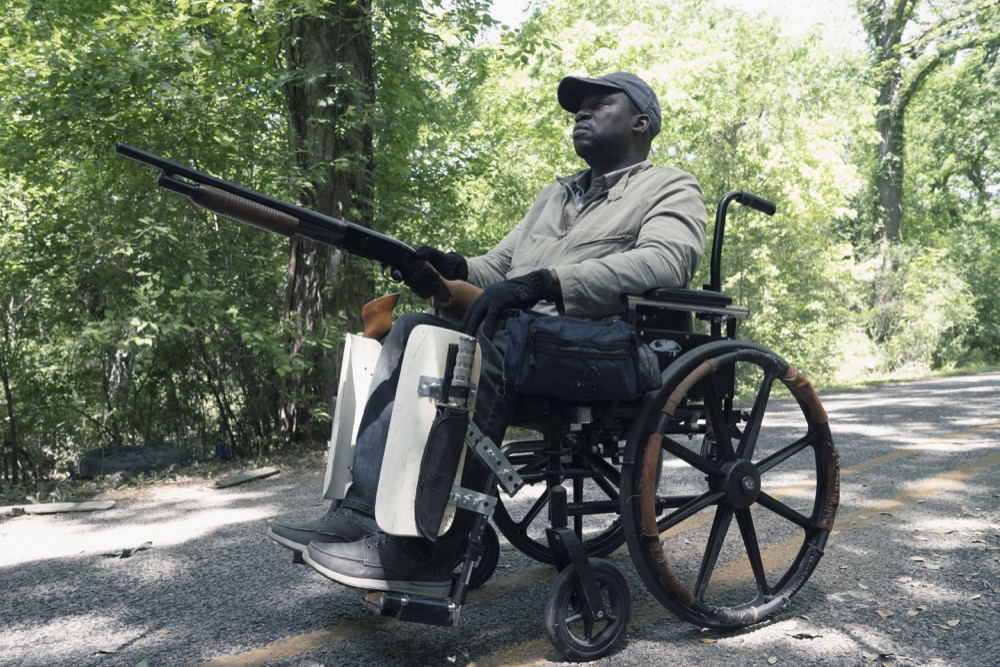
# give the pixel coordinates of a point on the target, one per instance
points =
(723, 483)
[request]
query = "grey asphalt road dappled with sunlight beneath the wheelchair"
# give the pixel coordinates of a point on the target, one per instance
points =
(911, 575)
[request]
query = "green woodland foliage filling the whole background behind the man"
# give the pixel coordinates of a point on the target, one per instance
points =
(127, 316)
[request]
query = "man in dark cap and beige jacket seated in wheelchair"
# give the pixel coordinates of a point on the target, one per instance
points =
(621, 226)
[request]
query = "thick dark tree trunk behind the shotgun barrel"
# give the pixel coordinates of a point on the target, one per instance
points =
(329, 101)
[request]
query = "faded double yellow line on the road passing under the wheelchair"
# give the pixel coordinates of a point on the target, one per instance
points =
(540, 651)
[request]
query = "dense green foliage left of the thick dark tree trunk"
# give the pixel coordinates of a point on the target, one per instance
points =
(137, 334)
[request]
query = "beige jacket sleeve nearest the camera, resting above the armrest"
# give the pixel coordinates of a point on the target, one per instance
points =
(667, 251)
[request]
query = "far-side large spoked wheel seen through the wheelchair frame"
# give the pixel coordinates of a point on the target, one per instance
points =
(592, 488)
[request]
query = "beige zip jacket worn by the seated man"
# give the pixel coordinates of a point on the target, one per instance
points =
(647, 231)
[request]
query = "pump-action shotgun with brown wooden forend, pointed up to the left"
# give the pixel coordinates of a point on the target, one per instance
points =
(273, 215)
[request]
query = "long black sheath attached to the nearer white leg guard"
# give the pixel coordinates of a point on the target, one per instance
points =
(437, 469)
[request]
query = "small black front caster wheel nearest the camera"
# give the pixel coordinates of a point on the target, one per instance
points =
(571, 627)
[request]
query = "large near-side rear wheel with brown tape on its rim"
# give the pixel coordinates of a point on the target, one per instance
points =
(732, 494)
